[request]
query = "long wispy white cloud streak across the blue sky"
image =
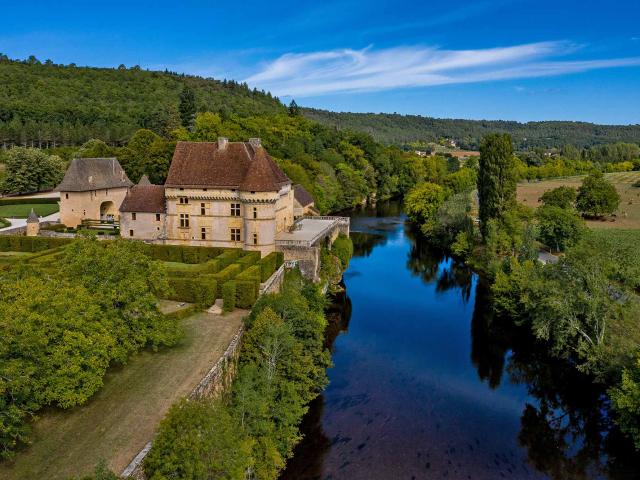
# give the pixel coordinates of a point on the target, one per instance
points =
(348, 70)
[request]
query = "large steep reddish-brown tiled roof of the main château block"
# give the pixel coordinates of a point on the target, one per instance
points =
(245, 166)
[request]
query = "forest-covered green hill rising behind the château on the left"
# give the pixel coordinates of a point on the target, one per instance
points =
(42, 104)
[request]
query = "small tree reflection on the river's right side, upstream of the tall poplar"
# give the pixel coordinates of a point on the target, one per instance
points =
(432, 265)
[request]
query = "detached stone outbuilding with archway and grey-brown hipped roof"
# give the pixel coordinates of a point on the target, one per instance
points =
(92, 189)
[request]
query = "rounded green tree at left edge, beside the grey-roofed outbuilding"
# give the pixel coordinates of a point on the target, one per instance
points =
(31, 170)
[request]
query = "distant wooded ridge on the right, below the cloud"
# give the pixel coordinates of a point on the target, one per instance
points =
(405, 129)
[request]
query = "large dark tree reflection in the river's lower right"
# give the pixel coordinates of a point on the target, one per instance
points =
(566, 428)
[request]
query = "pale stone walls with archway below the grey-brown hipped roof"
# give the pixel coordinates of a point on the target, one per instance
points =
(78, 206)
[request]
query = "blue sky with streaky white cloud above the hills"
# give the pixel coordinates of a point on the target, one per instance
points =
(502, 59)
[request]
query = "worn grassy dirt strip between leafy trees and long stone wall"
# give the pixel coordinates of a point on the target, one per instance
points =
(117, 423)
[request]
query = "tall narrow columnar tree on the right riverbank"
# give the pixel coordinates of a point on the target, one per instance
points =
(496, 178)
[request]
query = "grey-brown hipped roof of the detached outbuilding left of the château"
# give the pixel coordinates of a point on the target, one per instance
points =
(86, 174)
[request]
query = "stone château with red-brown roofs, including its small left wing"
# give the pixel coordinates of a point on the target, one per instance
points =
(222, 194)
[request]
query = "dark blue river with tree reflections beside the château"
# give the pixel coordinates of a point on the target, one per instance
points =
(426, 383)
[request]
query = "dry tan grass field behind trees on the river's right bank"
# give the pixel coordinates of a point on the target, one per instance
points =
(628, 214)
